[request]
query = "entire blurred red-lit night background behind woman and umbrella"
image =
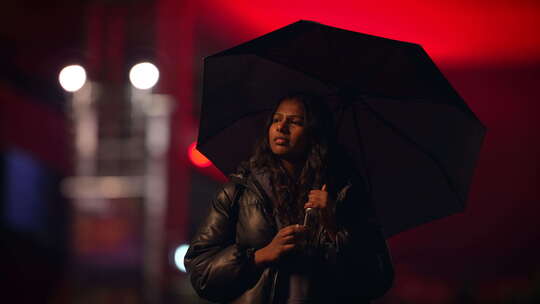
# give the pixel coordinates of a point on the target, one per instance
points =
(101, 187)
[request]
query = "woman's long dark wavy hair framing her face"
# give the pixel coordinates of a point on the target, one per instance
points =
(291, 195)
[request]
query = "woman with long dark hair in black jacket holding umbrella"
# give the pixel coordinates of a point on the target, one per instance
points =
(252, 249)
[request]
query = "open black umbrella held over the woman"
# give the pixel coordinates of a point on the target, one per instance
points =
(407, 129)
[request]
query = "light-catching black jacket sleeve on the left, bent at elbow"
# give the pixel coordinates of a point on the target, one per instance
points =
(219, 269)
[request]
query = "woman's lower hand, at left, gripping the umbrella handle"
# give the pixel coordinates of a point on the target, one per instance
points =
(285, 240)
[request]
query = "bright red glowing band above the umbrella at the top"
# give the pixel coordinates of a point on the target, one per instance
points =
(453, 32)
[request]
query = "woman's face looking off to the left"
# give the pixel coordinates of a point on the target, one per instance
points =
(287, 135)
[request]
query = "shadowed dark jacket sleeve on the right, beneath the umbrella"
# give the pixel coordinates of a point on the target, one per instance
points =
(358, 255)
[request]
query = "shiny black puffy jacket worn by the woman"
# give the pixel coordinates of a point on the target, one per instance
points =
(354, 268)
